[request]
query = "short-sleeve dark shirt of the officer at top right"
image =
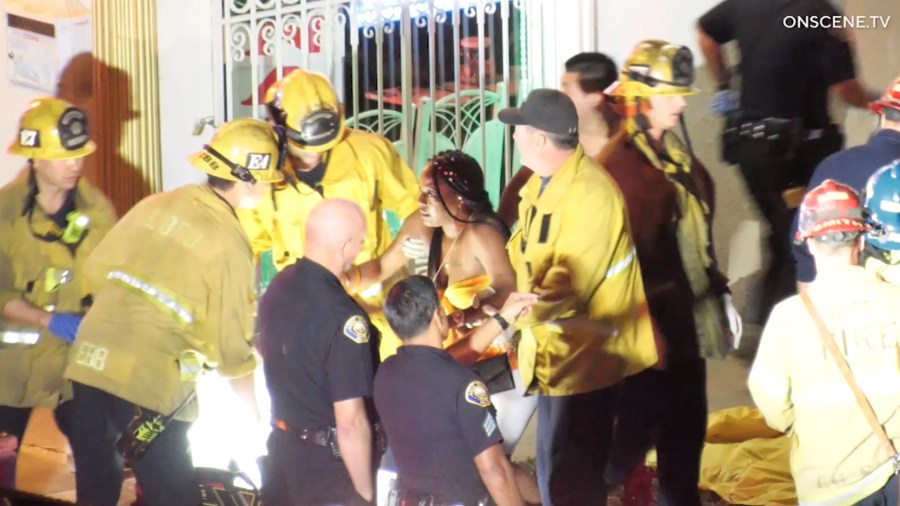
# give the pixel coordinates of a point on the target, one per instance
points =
(786, 70)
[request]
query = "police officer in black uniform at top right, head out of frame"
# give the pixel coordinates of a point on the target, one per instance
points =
(778, 127)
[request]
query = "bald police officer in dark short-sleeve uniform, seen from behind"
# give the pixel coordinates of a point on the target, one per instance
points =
(318, 353)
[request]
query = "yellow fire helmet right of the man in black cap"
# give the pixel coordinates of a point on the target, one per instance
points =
(656, 67)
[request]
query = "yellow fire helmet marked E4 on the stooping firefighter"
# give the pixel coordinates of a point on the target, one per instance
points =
(245, 150)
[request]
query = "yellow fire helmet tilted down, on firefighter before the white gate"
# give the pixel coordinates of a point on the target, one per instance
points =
(312, 114)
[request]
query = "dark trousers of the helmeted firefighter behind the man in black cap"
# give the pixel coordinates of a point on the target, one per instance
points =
(666, 409)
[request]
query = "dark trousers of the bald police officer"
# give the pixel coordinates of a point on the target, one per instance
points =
(301, 474)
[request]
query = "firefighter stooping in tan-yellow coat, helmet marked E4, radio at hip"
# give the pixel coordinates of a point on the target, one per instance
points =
(173, 296)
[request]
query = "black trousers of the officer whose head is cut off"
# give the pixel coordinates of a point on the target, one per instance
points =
(767, 176)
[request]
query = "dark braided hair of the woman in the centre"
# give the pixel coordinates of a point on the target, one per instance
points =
(462, 174)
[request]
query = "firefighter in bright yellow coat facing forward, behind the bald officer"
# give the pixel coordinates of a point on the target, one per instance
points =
(327, 160)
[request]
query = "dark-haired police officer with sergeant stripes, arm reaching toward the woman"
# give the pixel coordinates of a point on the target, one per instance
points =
(437, 413)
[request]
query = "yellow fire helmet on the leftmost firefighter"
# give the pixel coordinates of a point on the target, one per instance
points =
(52, 129)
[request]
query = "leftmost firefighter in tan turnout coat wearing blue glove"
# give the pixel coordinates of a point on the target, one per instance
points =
(50, 220)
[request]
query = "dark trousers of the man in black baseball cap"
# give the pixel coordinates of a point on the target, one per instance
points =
(573, 437)
